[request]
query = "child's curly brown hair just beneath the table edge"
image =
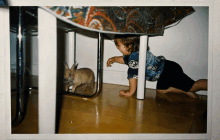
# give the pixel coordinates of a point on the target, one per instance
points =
(127, 40)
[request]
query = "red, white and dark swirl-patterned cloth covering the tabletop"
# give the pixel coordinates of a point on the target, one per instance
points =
(142, 20)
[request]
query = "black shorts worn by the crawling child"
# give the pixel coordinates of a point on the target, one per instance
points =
(173, 76)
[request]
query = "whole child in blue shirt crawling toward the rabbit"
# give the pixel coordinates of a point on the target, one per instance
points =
(168, 74)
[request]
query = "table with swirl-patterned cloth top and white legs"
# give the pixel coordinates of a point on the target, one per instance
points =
(144, 21)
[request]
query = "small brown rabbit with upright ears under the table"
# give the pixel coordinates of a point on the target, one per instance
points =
(76, 77)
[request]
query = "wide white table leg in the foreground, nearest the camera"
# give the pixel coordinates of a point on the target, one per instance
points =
(47, 40)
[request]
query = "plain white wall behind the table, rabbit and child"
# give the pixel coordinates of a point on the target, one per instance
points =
(186, 43)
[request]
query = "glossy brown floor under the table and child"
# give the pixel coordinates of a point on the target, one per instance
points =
(109, 113)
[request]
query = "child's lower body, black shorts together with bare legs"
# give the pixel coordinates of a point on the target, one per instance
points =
(173, 76)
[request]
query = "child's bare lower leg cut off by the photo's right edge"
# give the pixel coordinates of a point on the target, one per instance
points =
(199, 85)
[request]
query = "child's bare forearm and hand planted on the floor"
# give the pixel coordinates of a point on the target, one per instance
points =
(132, 88)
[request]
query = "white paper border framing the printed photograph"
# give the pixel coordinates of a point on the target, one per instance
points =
(213, 68)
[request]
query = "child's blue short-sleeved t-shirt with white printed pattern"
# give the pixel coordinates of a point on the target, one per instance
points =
(154, 65)
